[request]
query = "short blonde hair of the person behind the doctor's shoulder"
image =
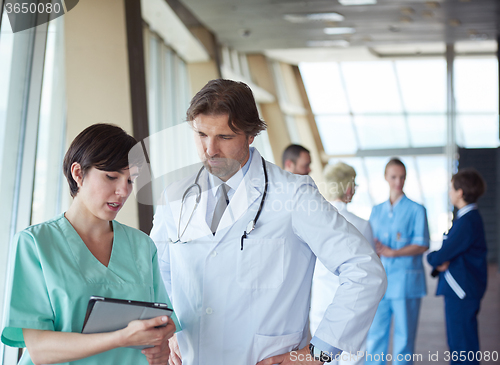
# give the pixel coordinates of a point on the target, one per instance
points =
(339, 178)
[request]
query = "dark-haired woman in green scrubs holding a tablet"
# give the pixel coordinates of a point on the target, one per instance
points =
(57, 265)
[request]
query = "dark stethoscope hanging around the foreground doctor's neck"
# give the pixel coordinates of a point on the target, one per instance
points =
(250, 226)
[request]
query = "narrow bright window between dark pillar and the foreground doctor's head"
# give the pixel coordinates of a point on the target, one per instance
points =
(171, 144)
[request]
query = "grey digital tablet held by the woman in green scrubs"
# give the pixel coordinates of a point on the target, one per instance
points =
(109, 314)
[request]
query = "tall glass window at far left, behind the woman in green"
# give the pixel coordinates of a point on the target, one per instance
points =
(32, 115)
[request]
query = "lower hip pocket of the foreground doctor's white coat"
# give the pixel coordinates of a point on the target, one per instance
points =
(267, 346)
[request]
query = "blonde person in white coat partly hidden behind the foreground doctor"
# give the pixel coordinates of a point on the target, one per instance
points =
(340, 179)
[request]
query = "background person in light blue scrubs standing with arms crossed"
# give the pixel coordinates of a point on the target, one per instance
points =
(402, 235)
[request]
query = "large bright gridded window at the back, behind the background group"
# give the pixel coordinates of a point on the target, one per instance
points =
(362, 107)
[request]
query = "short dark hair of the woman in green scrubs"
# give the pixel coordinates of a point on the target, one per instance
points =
(103, 146)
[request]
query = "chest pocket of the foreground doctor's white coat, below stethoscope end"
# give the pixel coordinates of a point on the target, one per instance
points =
(260, 263)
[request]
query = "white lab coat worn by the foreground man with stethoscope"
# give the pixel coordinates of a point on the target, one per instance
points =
(241, 306)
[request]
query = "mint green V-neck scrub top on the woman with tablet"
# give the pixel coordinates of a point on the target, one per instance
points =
(53, 275)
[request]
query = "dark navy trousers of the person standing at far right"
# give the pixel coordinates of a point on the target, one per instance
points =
(461, 328)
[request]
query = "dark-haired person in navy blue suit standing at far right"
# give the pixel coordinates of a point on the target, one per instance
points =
(462, 264)
